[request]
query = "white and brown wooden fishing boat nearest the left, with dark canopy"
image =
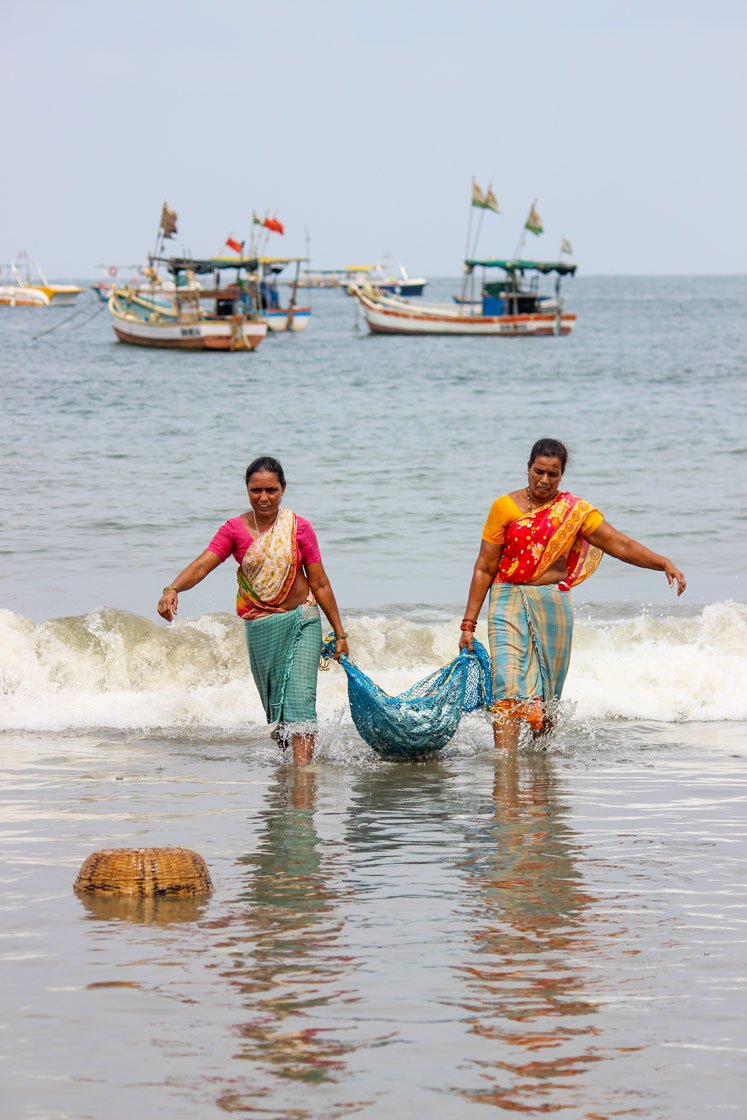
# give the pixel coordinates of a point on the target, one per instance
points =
(189, 315)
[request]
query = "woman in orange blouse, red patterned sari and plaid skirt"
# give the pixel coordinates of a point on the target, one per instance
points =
(538, 544)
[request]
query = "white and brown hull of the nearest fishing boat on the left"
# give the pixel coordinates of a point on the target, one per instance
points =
(167, 331)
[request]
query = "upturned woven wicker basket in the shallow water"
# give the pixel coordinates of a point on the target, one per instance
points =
(144, 873)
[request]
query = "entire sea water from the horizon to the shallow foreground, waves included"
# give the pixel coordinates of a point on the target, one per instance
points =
(562, 932)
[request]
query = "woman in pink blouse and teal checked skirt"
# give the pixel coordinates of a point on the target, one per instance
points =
(282, 586)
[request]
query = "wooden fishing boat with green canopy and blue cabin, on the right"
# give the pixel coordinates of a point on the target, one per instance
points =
(512, 307)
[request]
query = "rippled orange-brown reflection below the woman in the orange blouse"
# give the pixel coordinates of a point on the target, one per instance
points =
(529, 988)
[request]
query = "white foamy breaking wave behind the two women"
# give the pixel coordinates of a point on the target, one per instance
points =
(118, 670)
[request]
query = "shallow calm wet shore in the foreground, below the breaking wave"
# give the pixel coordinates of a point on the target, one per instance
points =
(561, 931)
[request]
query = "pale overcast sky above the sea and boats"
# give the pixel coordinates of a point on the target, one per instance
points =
(366, 123)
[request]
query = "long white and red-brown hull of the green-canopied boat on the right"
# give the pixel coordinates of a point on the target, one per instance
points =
(397, 318)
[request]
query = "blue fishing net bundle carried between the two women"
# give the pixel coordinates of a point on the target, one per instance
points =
(425, 718)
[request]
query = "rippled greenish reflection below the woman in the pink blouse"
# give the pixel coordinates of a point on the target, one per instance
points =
(284, 940)
